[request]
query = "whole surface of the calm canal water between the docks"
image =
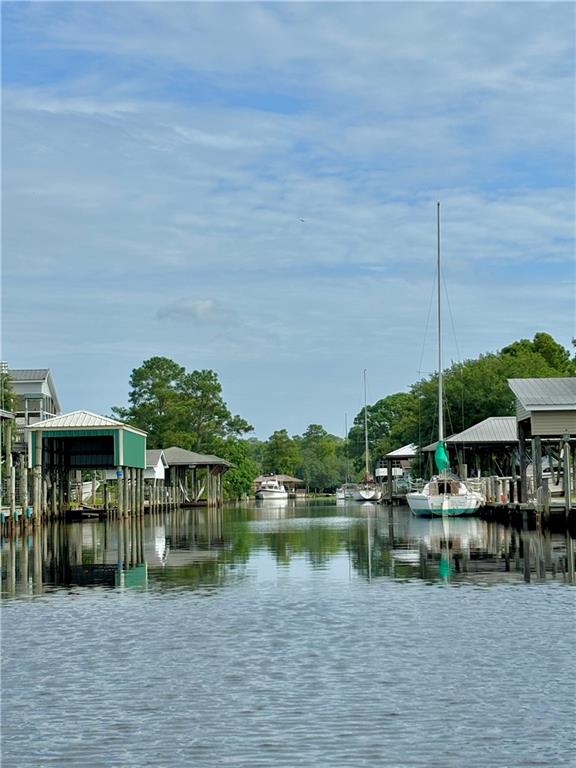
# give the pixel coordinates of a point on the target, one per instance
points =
(299, 634)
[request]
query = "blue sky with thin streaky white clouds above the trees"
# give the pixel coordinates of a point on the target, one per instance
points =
(252, 188)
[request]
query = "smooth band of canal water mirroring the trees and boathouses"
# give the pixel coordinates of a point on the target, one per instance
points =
(208, 548)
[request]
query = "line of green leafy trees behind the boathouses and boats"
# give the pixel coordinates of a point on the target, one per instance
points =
(176, 407)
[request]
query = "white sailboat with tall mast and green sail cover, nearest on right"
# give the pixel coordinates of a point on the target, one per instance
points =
(445, 494)
